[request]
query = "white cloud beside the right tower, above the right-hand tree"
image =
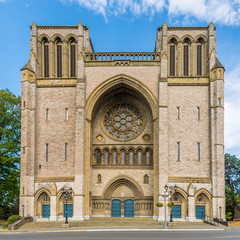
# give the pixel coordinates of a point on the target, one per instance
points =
(232, 110)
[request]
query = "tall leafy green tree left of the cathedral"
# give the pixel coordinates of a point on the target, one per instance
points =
(10, 141)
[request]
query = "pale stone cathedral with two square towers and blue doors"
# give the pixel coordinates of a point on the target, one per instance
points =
(118, 129)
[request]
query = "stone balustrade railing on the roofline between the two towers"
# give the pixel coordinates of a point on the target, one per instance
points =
(122, 56)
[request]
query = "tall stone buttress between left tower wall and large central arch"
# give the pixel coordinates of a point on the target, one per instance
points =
(80, 135)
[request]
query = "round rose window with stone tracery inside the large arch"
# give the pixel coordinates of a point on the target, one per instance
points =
(123, 121)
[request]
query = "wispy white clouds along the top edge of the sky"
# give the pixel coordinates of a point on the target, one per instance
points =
(219, 11)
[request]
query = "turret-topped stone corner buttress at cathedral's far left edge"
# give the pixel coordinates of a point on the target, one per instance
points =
(28, 167)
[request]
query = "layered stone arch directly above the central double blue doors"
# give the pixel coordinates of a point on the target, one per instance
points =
(122, 180)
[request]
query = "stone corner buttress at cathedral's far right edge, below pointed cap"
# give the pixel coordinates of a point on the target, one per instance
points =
(217, 141)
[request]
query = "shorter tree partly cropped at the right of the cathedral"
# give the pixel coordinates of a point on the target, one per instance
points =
(232, 181)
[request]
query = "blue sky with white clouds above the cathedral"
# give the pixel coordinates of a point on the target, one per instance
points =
(126, 25)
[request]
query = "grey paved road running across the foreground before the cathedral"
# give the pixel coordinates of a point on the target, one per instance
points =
(173, 235)
